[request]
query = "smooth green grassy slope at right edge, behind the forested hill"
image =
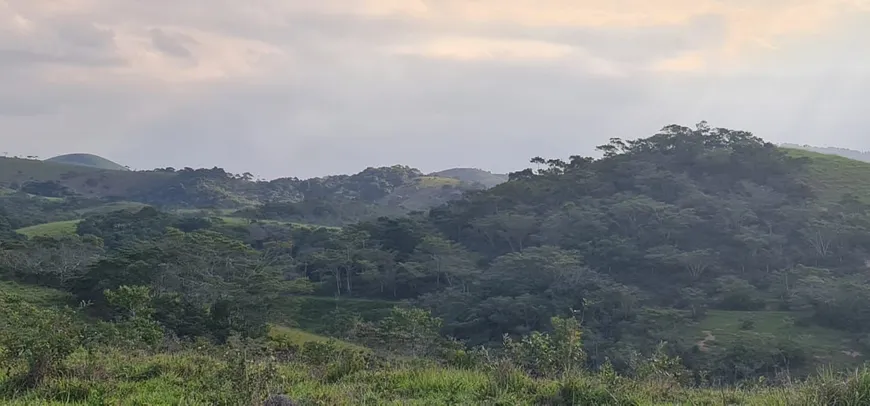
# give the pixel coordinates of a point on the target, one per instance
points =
(832, 176)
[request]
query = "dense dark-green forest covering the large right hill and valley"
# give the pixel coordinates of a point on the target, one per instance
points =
(704, 243)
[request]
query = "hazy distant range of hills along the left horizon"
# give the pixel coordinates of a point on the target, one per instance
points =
(330, 200)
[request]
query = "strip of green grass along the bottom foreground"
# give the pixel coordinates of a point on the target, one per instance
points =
(114, 377)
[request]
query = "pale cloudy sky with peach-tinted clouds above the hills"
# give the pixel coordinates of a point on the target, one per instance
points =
(309, 88)
